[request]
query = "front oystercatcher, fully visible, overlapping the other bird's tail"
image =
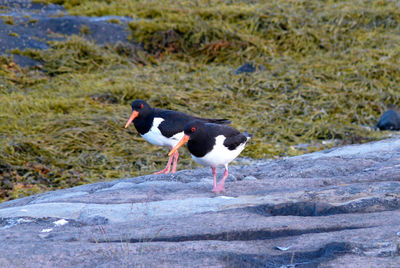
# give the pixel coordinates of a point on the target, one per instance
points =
(213, 145)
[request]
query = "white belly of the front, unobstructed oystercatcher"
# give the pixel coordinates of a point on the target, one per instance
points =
(219, 155)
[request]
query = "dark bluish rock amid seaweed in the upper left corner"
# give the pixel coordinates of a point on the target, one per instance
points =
(24, 24)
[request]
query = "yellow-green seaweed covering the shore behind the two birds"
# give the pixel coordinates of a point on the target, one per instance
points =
(330, 68)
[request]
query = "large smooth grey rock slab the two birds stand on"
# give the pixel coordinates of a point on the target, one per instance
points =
(335, 208)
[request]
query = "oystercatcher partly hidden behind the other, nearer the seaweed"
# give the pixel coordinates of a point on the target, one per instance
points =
(163, 127)
